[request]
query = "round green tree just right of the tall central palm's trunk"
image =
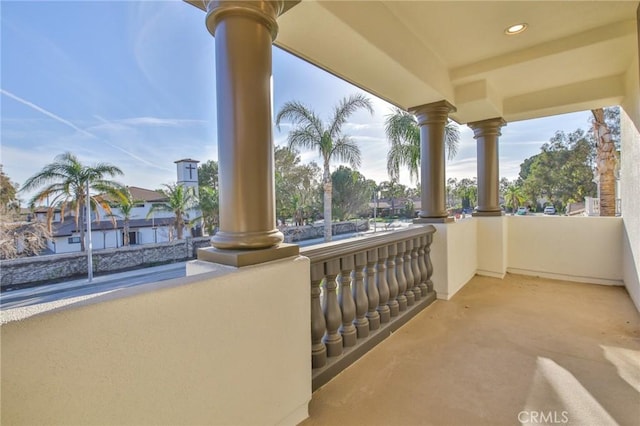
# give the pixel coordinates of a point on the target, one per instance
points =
(351, 193)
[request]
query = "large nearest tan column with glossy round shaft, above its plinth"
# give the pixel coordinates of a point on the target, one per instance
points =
(244, 32)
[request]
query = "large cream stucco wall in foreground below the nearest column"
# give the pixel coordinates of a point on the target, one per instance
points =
(225, 347)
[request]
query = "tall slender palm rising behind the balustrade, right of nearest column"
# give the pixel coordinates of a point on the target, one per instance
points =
(312, 134)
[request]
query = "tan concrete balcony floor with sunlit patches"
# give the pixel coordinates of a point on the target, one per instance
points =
(522, 350)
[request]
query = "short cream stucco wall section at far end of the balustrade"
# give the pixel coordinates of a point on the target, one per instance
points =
(454, 256)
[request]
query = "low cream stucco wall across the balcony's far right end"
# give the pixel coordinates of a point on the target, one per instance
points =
(584, 249)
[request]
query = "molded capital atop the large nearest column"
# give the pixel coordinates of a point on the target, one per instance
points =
(264, 11)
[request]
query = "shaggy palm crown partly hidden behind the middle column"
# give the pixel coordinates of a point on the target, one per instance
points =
(403, 133)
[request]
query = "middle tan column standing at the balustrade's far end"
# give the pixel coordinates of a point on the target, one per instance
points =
(432, 120)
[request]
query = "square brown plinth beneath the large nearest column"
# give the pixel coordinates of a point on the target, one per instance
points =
(239, 258)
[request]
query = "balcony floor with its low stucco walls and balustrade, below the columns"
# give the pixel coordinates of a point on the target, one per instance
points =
(199, 350)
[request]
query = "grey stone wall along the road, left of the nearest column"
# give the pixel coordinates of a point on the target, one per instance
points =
(38, 269)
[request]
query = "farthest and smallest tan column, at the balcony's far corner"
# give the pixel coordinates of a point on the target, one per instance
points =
(486, 133)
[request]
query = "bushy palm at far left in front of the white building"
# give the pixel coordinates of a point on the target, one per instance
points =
(67, 182)
